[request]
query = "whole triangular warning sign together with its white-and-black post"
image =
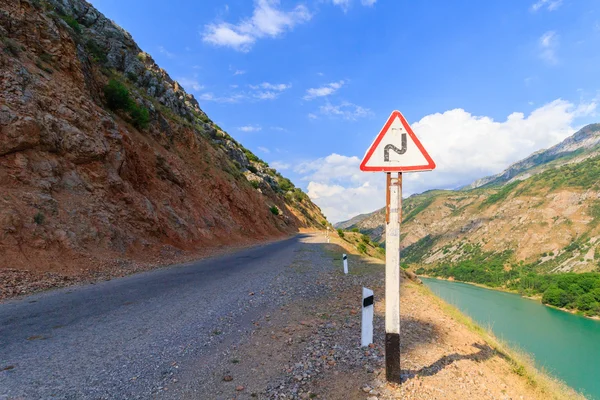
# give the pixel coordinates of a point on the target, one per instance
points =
(395, 149)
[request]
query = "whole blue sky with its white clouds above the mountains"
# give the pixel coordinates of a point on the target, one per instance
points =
(308, 85)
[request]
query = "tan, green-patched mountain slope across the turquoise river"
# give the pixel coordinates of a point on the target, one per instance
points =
(548, 221)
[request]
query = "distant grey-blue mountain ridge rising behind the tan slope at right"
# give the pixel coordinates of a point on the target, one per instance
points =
(585, 142)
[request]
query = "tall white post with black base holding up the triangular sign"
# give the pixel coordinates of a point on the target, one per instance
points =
(392, 278)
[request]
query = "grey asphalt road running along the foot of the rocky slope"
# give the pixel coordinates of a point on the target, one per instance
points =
(127, 338)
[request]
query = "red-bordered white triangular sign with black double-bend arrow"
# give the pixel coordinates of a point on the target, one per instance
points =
(396, 149)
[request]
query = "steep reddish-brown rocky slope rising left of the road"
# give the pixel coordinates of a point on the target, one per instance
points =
(105, 160)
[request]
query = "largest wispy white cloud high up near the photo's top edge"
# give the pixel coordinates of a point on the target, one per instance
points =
(267, 21)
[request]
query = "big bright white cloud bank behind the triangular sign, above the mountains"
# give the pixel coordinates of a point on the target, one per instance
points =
(465, 147)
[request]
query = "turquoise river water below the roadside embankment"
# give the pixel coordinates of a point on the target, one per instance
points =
(565, 345)
